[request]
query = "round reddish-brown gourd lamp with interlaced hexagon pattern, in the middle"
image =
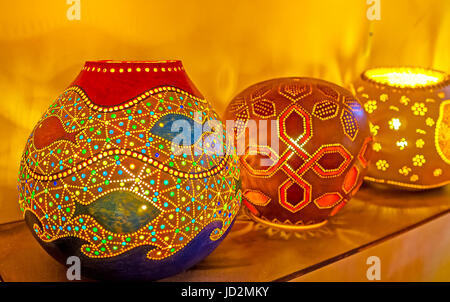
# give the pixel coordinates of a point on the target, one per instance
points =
(312, 150)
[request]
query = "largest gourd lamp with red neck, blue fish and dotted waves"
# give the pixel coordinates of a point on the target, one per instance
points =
(100, 178)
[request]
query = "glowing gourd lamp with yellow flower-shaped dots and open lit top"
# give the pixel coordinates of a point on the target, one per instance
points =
(409, 111)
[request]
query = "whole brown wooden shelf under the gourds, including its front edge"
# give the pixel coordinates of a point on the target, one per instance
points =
(408, 231)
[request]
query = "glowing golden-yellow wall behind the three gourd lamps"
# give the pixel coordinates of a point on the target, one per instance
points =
(225, 46)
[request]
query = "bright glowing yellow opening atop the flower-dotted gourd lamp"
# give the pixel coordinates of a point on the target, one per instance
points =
(406, 77)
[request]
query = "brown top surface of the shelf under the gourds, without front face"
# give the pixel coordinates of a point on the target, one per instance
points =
(256, 252)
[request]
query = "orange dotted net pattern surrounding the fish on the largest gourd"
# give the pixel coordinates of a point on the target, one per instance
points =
(113, 150)
